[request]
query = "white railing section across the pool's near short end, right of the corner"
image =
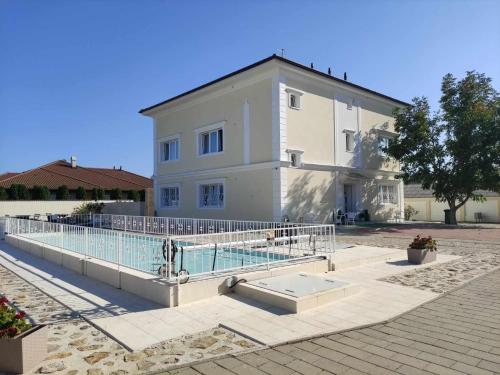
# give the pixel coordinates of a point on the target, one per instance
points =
(209, 254)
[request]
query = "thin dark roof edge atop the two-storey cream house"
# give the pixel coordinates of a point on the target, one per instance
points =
(282, 59)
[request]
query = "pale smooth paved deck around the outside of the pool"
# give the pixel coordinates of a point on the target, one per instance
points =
(138, 323)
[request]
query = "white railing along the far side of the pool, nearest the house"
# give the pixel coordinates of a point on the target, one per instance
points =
(170, 225)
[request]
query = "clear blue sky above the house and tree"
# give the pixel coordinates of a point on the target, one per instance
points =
(73, 74)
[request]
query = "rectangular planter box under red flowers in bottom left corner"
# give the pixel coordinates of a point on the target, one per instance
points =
(23, 352)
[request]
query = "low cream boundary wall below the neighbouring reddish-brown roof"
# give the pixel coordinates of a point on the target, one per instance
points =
(13, 208)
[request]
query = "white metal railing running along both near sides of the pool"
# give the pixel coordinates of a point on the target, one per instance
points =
(180, 257)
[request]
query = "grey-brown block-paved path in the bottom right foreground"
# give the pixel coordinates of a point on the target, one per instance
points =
(459, 333)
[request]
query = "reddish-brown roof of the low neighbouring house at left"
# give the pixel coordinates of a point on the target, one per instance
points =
(60, 173)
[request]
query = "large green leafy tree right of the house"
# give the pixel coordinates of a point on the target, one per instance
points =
(454, 152)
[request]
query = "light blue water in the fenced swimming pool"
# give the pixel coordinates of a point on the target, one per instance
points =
(146, 254)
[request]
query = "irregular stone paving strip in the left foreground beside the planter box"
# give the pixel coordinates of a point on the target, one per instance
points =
(76, 347)
